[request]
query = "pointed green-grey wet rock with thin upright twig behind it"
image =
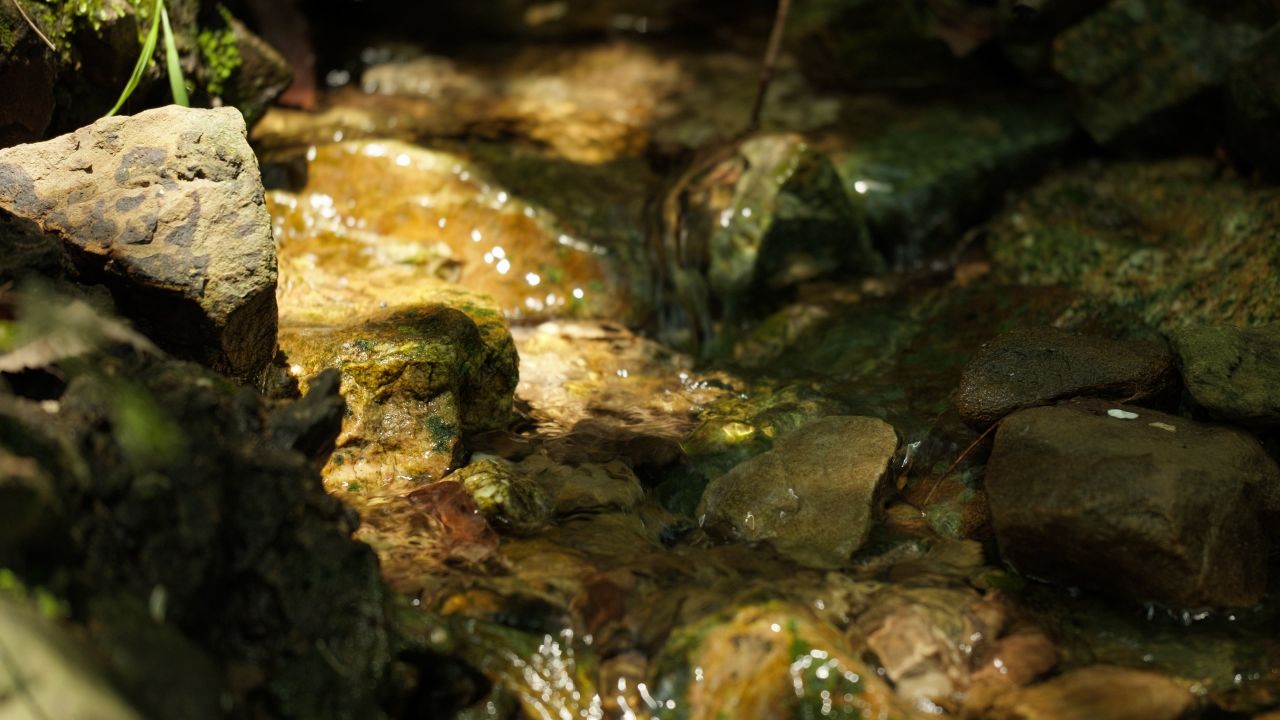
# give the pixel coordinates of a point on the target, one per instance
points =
(751, 221)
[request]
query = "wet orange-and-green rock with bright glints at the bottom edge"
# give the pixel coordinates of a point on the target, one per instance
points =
(770, 662)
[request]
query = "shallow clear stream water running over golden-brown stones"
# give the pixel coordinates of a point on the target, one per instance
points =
(527, 181)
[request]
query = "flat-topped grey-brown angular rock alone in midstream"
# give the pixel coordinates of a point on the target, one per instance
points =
(813, 498)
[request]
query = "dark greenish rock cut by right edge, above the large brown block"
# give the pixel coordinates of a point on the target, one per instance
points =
(1233, 373)
